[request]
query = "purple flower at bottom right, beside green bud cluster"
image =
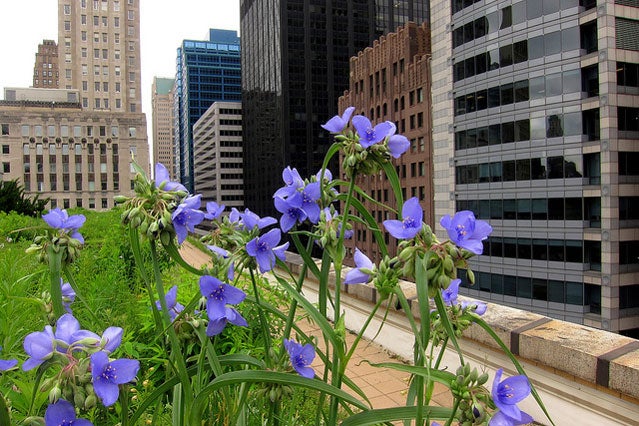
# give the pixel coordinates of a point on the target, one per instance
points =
(506, 394)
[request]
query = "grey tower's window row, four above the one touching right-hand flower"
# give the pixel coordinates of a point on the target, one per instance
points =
(569, 39)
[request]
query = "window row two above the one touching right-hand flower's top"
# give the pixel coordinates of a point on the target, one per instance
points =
(555, 125)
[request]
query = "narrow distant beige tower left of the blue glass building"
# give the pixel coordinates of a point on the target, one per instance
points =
(163, 131)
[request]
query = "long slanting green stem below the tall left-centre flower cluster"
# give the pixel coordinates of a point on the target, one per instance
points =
(175, 344)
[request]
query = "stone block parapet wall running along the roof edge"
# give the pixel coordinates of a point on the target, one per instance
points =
(602, 360)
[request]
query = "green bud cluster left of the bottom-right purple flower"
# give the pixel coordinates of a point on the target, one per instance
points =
(474, 398)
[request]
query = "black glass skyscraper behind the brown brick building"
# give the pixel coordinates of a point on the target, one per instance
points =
(295, 59)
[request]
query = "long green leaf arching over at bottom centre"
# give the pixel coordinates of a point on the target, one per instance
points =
(253, 376)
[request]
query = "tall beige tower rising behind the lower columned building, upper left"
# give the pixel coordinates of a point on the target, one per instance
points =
(99, 53)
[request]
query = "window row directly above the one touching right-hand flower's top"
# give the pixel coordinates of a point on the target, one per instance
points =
(558, 167)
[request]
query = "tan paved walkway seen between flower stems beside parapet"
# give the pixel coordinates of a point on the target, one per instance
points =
(384, 387)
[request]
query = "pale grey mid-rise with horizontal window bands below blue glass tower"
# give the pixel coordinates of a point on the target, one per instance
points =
(217, 145)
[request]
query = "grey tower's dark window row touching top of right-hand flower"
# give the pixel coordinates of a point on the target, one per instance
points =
(572, 208)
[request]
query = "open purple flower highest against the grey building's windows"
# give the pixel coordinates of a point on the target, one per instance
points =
(465, 231)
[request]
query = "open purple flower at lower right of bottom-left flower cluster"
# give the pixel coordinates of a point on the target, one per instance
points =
(108, 375)
